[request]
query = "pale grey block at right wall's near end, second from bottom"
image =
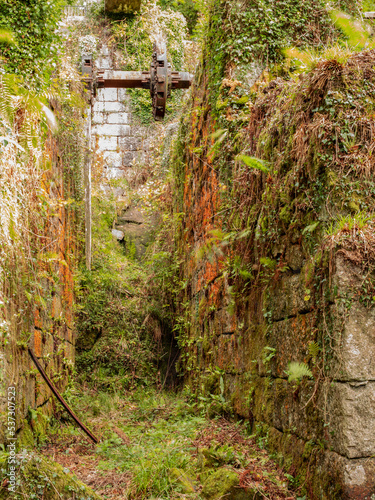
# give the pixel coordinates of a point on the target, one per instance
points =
(352, 418)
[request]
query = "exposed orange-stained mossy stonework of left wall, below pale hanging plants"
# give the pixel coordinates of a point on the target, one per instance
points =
(37, 288)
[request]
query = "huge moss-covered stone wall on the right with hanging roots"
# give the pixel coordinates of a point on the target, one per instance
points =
(274, 177)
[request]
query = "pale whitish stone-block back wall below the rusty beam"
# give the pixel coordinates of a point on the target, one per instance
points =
(122, 145)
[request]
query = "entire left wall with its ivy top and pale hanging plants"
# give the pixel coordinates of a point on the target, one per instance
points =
(41, 154)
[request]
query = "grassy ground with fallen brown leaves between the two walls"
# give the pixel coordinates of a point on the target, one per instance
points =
(155, 444)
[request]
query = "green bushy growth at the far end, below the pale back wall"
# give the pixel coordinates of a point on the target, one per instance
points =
(117, 347)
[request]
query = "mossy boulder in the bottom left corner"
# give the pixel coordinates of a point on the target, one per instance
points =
(36, 478)
